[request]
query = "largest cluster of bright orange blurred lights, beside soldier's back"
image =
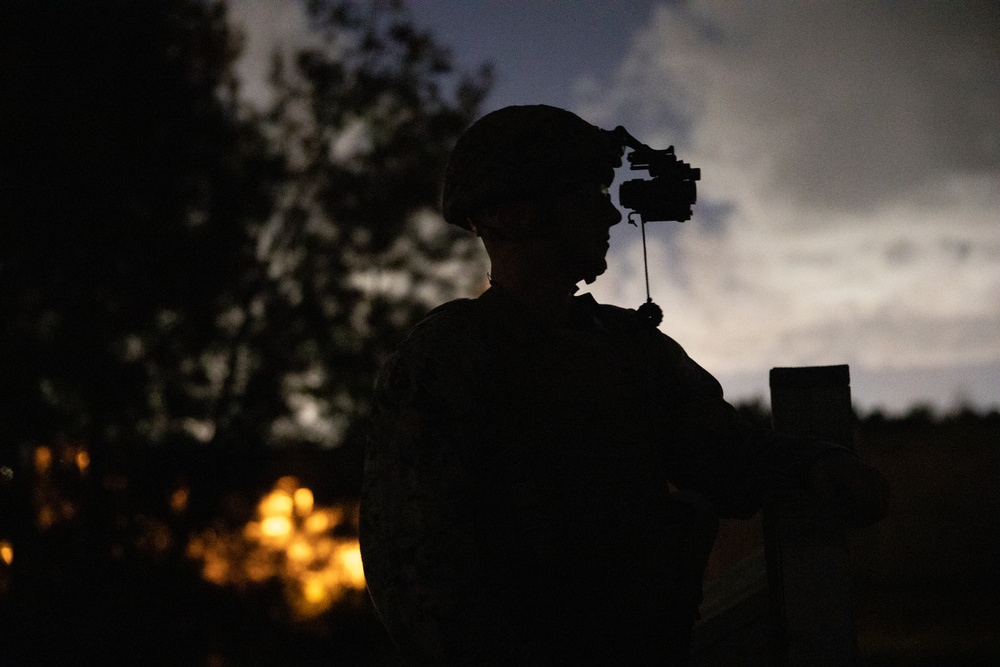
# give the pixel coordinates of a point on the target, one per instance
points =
(289, 540)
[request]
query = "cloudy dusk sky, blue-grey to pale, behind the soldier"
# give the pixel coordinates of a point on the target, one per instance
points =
(849, 207)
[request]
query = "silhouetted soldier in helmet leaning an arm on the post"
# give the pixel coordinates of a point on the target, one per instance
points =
(516, 508)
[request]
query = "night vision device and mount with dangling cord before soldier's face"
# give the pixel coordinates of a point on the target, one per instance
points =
(667, 196)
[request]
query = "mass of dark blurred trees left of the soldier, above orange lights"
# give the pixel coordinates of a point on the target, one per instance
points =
(178, 265)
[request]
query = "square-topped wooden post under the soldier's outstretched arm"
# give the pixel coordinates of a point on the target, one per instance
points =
(808, 567)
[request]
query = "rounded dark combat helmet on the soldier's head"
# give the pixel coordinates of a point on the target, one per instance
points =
(523, 152)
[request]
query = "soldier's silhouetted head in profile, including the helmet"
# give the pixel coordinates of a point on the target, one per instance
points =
(535, 176)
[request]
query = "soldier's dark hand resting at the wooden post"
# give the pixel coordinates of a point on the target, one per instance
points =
(847, 487)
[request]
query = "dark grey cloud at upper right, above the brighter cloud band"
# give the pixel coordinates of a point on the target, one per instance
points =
(835, 105)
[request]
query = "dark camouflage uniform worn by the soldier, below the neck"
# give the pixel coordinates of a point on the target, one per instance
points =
(516, 507)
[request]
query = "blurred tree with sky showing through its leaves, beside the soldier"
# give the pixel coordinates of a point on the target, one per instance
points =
(353, 253)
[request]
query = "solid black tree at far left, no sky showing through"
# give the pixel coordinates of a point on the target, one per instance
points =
(128, 181)
